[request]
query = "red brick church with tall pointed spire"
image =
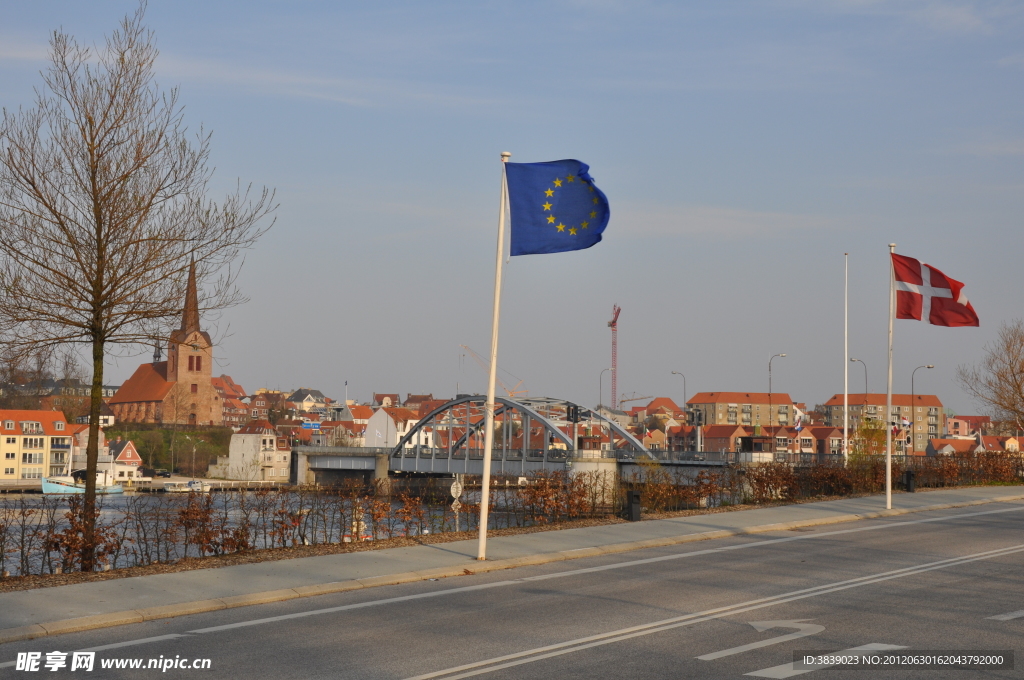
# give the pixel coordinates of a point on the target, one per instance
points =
(180, 391)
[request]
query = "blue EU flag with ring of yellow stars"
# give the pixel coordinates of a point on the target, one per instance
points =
(556, 207)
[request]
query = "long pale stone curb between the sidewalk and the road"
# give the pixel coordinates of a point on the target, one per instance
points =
(201, 607)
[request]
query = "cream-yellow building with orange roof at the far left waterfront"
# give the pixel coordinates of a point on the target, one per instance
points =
(34, 444)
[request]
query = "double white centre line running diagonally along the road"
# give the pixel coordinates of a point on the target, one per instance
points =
(548, 652)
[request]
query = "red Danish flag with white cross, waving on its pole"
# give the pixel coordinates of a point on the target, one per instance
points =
(924, 293)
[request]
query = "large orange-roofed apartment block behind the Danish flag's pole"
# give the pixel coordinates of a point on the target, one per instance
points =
(923, 411)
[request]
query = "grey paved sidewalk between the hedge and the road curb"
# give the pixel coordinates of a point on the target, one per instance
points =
(27, 615)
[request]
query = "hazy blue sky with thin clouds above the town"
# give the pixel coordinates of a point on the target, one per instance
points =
(744, 148)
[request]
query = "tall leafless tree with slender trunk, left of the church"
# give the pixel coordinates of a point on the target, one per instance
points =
(103, 208)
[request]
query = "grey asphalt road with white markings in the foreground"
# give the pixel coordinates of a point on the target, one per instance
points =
(710, 610)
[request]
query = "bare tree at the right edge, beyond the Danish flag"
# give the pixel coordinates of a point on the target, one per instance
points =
(999, 381)
